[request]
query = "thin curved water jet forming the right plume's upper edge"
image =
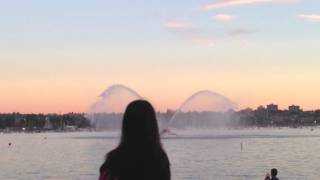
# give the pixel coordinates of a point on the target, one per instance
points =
(194, 95)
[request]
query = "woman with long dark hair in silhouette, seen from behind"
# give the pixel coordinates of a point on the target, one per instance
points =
(139, 156)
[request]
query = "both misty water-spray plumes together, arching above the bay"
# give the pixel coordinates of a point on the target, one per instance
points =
(202, 110)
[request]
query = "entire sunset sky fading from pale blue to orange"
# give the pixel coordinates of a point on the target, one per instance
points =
(58, 56)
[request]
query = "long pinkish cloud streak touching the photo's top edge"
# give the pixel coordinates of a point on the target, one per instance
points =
(231, 3)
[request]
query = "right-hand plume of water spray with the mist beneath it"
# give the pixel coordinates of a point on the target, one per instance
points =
(203, 110)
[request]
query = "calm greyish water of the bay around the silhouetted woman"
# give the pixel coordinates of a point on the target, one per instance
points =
(214, 155)
